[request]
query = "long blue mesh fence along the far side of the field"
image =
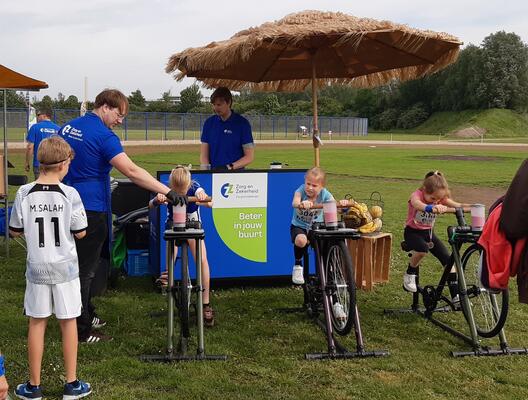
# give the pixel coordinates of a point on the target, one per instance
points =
(174, 126)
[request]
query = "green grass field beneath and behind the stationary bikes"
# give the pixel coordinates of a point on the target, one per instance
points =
(266, 347)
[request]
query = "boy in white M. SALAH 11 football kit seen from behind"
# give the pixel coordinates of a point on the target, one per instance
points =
(50, 214)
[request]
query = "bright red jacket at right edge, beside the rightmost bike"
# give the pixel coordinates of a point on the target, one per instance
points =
(502, 258)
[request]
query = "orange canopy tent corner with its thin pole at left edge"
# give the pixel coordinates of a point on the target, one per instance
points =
(12, 80)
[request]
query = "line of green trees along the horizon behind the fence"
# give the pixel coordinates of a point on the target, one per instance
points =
(492, 75)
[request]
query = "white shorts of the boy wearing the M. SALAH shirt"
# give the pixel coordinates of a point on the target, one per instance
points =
(62, 299)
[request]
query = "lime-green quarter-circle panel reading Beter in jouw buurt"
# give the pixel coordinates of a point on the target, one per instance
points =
(243, 230)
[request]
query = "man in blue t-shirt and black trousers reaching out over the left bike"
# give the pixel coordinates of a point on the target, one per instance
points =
(98, 150)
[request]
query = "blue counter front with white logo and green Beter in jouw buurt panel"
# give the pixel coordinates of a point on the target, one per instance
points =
(247, 231)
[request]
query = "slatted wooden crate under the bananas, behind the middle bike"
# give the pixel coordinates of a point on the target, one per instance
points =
(371, 255)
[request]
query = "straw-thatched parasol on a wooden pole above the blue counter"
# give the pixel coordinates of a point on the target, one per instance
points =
(317, 48)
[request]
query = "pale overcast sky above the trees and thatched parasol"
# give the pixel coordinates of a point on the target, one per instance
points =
(125, 44)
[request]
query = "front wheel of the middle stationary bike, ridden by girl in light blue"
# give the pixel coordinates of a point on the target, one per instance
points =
(341, 288)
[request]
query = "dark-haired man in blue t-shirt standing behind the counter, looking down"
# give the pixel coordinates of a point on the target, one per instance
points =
(227, 141)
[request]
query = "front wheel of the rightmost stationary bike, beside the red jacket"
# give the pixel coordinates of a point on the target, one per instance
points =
(489, 306)
